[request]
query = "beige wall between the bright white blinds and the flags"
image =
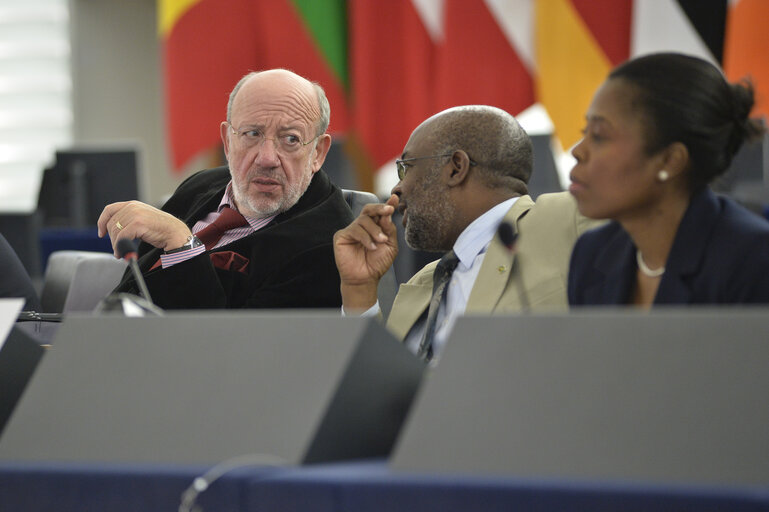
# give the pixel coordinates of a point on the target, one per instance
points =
(117, 85)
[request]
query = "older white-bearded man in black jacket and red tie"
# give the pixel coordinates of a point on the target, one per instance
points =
(256, 233)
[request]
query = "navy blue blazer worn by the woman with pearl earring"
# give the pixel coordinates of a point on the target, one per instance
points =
(720, 255)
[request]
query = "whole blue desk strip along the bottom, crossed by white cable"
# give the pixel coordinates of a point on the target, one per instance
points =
(359, 486)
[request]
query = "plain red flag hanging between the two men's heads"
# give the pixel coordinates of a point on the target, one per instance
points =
(391, 77)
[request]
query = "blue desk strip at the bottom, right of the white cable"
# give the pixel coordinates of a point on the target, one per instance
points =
(372, 487)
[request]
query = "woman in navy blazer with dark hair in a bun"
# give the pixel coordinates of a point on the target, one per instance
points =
(659, 129)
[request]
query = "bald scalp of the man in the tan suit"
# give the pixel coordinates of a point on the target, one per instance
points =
(491, 137)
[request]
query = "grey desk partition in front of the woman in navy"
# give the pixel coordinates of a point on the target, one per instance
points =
(674, 397)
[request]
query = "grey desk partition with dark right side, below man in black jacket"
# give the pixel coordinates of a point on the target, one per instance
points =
(203, 388)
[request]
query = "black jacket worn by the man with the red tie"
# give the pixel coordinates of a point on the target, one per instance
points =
(290, 261)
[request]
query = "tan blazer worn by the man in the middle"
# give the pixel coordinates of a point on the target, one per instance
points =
(547, 231)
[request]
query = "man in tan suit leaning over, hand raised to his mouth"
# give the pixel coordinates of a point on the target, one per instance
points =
(463, 172)
